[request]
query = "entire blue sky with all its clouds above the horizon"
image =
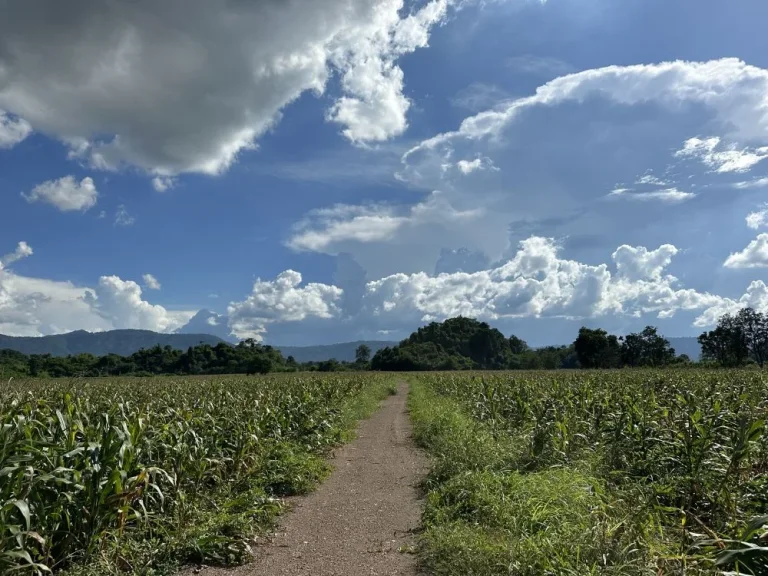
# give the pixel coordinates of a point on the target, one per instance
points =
(336, 170)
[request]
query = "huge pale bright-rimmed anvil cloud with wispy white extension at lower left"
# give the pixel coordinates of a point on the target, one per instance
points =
(544, 164)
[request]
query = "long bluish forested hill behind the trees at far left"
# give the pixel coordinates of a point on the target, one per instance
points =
(121, 342)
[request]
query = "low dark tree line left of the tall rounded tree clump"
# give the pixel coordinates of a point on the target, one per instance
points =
(248, 357)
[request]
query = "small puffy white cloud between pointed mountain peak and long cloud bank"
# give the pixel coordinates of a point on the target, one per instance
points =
(281, 300)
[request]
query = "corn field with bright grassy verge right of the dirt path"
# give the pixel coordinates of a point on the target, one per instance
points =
(637, 472)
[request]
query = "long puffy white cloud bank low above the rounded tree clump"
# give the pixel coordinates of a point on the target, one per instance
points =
(537, 282)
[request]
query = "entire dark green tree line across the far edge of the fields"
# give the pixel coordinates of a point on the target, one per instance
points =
(455, 344)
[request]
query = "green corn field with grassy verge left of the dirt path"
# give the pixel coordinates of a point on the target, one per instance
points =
(127, 473)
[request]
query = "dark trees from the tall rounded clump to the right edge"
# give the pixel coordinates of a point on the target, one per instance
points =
(464, 343)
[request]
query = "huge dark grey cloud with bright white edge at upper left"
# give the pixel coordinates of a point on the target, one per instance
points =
(186, 85)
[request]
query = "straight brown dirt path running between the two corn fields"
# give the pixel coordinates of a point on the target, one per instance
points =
(355, 522)
